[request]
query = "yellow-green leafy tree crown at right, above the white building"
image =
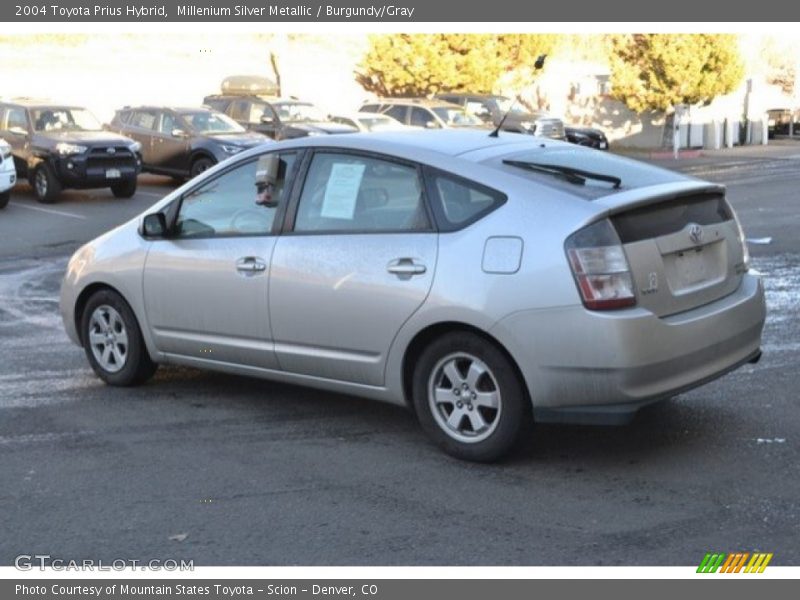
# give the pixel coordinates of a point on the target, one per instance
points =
(654, 72)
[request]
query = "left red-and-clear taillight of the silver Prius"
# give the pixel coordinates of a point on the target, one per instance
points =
(600, 267)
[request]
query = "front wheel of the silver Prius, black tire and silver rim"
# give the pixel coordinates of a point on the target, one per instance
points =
(135, 367)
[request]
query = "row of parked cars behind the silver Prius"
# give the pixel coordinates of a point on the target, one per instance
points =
(57, 147)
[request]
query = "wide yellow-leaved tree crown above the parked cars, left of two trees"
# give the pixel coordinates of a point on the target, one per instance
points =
(424, 64)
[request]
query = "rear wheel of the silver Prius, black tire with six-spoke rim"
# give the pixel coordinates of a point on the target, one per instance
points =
(505, 425)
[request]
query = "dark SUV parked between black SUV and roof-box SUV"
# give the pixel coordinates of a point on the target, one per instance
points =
(183, 142)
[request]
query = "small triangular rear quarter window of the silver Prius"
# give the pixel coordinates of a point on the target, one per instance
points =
(461, 201)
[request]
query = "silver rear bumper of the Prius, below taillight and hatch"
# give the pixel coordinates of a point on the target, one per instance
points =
(606, 365)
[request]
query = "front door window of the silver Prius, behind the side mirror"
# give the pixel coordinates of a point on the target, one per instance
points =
(235, 203)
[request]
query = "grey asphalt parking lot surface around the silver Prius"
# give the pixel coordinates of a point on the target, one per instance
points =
(226, 470)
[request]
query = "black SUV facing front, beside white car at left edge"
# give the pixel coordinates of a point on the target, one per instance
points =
(58, 146)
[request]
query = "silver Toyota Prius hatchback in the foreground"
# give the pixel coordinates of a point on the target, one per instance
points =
(484, 282)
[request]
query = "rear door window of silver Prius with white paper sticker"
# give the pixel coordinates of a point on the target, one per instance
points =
(344, 192)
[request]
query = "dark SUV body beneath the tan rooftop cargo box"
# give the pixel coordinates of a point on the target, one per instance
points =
(280, 119)
